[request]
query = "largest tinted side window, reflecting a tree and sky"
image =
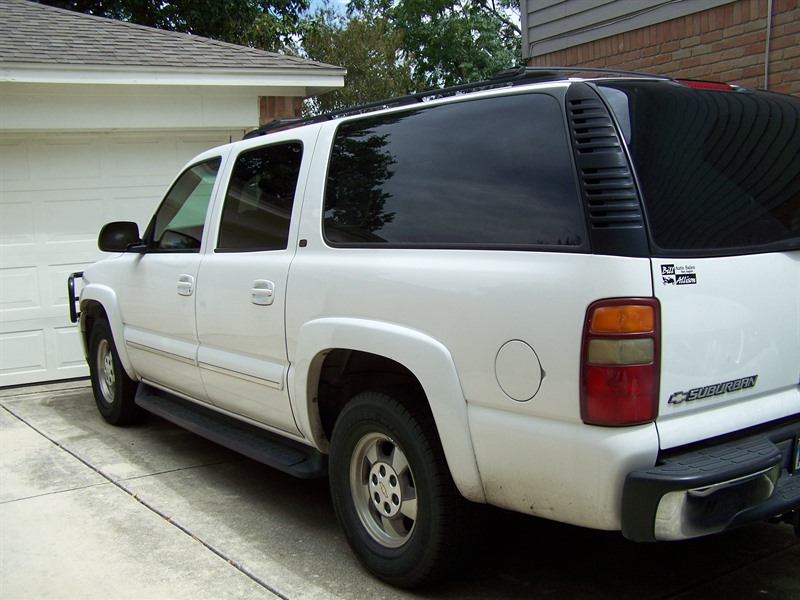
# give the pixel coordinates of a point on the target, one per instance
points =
(483, 173)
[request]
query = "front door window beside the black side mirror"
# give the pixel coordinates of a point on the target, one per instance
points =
(178, 223)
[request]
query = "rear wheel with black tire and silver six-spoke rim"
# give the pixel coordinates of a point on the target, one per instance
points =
(392, 491)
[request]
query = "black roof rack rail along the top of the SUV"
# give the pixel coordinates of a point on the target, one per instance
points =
(514, 76)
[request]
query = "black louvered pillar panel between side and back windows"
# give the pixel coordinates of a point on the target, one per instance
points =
(607, 187)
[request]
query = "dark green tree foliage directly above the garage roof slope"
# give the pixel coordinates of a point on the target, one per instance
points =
(266, 24)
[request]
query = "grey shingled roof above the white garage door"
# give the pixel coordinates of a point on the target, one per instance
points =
(32, 33)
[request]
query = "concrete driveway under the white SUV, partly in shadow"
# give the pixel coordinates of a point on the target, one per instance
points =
(88, 510)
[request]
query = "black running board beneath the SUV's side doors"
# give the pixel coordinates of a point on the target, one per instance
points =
(265, 447)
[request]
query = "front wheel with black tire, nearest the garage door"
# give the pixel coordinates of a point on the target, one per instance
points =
(113, 390)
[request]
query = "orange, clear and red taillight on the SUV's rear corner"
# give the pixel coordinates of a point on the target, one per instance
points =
(620, 362)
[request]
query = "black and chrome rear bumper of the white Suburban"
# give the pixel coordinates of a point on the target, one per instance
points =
(713, 488)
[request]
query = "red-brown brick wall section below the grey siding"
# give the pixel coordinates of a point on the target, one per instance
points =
(725, 44)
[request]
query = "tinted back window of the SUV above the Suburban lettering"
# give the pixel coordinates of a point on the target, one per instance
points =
(719, 170)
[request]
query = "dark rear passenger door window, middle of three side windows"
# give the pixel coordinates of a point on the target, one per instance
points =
(258, 204)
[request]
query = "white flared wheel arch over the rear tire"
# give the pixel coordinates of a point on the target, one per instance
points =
(407, 357)
